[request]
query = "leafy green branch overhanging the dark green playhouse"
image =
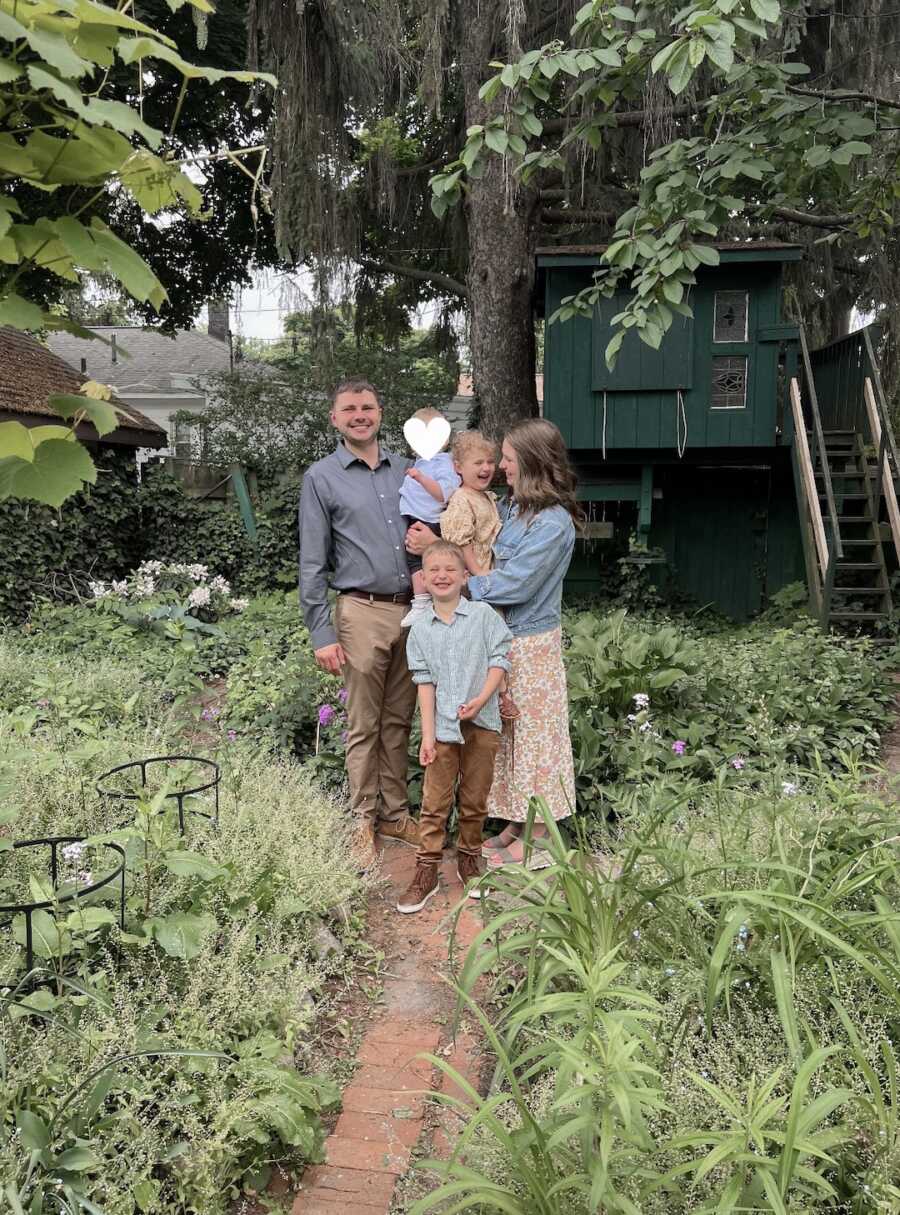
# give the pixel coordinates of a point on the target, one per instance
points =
(760, 143)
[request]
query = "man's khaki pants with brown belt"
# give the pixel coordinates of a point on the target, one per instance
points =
(381, 704)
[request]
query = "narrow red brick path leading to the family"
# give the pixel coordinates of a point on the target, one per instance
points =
(382, 1117)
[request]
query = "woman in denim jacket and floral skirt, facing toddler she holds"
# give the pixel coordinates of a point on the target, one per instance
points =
(533, 555)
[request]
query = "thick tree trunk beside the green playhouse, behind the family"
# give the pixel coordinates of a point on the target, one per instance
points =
(502, 221)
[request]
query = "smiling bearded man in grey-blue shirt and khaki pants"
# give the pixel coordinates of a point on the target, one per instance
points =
(350, 525)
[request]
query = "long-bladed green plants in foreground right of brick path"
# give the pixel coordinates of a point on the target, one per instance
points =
(698, 1019)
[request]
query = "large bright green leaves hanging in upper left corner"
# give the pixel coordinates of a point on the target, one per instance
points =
(60, 133)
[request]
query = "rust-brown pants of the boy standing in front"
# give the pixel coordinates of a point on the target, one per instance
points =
(473, 762)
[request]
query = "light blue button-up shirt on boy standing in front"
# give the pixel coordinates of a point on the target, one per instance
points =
(456, 658)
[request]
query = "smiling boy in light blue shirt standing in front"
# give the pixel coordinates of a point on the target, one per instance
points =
(457, 655)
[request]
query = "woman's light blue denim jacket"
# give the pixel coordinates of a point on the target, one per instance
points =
(531, 557)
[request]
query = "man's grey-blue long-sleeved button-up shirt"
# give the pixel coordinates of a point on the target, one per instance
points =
(350, 528)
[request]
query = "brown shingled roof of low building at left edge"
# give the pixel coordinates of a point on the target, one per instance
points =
(30, 375)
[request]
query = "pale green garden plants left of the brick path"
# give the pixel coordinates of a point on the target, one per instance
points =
(167, 1067)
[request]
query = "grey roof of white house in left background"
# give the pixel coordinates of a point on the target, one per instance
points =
(145, 359)
